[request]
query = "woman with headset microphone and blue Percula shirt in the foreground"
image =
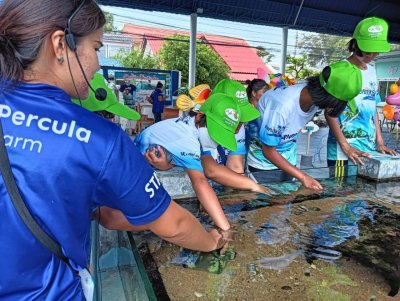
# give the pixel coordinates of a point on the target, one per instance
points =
(67, 161)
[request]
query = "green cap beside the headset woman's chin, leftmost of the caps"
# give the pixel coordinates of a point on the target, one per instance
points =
(110, 104)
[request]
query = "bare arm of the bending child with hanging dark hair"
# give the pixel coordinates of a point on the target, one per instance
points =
(276, 158)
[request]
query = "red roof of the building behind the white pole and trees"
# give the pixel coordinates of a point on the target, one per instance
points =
(237, 54)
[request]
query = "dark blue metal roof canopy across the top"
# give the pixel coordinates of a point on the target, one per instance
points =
(324, 16)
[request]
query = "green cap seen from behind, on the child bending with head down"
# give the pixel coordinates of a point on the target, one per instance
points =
(344, 82)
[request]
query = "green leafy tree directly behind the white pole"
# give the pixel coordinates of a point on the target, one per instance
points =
(210, 68)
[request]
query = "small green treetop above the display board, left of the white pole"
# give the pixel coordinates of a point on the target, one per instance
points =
(137, 59)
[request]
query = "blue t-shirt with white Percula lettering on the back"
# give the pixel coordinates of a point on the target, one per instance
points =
(67, 162)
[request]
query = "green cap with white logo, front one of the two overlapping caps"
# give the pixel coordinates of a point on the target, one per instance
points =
(222, 116)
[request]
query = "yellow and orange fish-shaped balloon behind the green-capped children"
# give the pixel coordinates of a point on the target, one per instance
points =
(195, 96)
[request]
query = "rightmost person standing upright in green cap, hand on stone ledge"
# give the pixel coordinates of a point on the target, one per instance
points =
(354, 133)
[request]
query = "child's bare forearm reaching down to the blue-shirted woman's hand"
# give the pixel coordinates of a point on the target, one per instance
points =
(208, 198)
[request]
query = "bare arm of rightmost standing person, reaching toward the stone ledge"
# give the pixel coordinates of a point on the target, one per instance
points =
(351, 152)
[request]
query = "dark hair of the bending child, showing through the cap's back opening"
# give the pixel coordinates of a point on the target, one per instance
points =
(321, 98)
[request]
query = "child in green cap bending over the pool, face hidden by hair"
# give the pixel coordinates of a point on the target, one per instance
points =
(284, 112)
